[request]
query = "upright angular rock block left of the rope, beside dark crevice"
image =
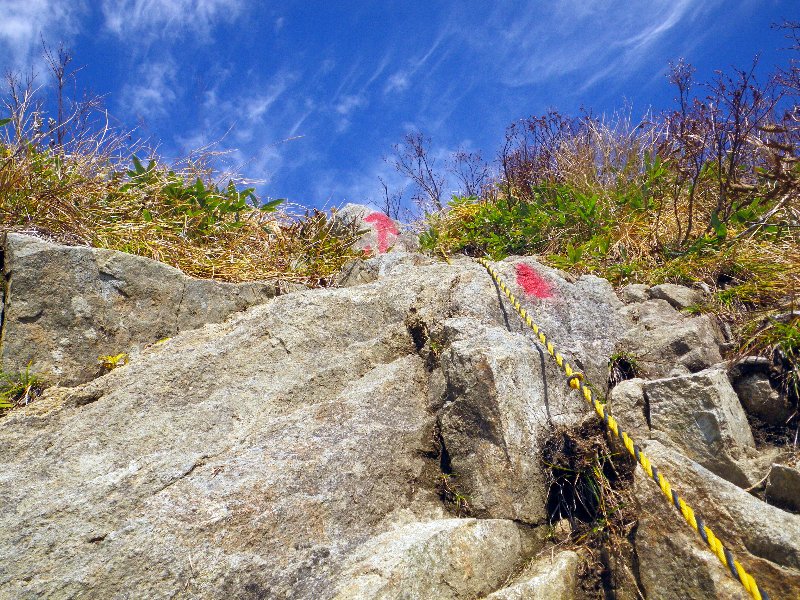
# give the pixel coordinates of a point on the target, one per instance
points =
(497, 406)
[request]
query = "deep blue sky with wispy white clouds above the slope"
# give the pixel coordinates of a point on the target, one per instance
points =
(309, 97)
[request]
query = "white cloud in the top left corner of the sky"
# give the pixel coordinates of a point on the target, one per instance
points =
(24, 23)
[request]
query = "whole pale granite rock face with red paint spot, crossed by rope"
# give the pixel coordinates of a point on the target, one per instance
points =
(310, 445)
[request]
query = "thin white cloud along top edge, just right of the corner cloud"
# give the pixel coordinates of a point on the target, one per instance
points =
(154, 17)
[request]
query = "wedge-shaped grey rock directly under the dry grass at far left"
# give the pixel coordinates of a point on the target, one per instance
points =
(68, 305)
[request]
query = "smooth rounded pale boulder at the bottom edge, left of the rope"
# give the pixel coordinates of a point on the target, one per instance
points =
(447, 559)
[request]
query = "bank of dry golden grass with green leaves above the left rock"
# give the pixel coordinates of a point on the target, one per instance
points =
(87, 190)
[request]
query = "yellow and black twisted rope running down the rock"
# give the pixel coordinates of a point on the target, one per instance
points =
(576, 382)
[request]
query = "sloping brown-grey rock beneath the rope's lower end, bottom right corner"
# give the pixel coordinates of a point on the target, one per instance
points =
(673, 560)
